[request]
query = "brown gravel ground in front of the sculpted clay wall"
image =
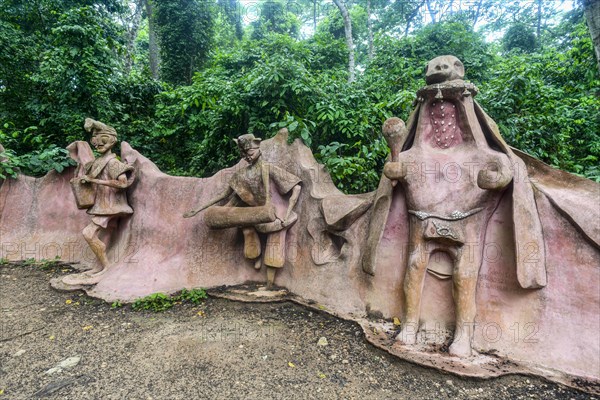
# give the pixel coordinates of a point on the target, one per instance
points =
(219, 349)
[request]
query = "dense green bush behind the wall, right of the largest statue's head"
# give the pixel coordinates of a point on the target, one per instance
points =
(543, 108)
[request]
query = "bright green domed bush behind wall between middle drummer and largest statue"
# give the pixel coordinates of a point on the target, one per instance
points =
(262, 86)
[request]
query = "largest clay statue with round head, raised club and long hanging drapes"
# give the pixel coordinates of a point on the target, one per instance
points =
(453, 167)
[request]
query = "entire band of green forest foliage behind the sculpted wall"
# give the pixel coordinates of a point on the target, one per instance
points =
(64, 60)
